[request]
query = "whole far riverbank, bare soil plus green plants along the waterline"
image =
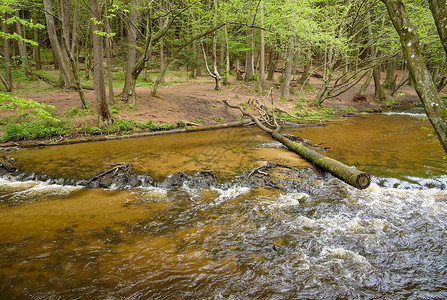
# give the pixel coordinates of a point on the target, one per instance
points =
(193, 103)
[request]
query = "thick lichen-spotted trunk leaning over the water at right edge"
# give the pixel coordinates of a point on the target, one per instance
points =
(422, 80)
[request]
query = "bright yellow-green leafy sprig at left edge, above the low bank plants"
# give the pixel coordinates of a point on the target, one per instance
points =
(26, 107)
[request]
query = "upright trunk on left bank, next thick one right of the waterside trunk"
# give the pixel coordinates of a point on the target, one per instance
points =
(129, 89)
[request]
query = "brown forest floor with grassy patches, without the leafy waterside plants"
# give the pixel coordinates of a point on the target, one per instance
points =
(197, 102)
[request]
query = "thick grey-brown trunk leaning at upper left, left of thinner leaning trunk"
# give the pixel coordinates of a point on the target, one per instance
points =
(57, 51)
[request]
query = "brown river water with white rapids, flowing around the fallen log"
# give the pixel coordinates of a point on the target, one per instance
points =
(316, 238)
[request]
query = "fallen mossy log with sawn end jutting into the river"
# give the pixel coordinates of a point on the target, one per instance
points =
(343, 172)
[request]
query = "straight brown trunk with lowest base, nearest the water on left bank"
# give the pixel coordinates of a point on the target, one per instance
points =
(104, 116)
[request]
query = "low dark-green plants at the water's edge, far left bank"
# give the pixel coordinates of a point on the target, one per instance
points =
(34, 130)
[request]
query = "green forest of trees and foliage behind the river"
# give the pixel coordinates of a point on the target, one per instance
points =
(113, 47)
